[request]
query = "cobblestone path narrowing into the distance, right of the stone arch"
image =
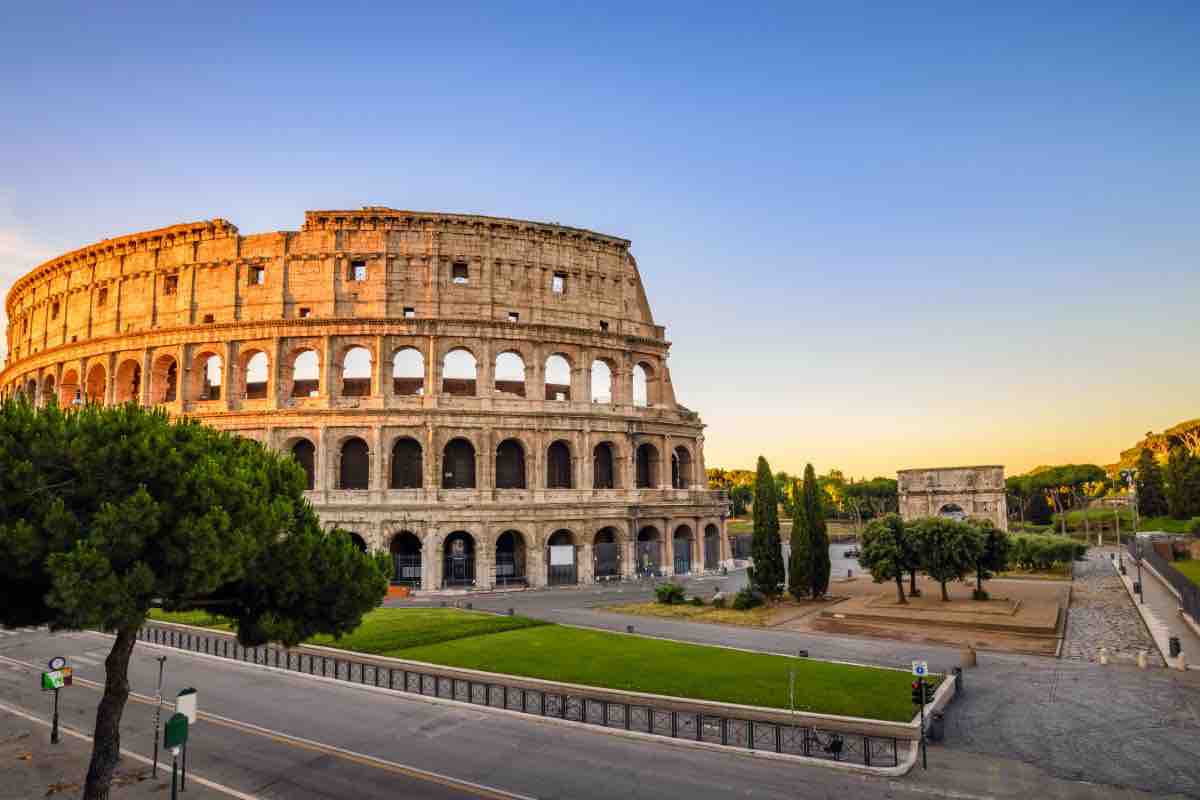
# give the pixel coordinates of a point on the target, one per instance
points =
(1103, 616)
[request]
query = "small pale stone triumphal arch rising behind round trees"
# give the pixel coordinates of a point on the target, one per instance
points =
(959, 492)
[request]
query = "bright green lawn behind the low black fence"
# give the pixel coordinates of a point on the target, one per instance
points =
(533, 649)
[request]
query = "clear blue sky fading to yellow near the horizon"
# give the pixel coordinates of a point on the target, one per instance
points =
(880, 236)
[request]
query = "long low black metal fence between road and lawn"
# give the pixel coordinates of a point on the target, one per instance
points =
(731, 732)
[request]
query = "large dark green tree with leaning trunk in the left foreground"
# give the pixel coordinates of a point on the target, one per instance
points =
(106, 513)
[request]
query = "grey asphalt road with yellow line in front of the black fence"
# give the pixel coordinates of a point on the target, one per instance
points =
(286, 736)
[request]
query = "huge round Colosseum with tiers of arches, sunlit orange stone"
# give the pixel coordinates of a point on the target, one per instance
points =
(488, 400)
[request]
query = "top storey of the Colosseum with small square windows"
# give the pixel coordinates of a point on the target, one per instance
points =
(371, 263)
